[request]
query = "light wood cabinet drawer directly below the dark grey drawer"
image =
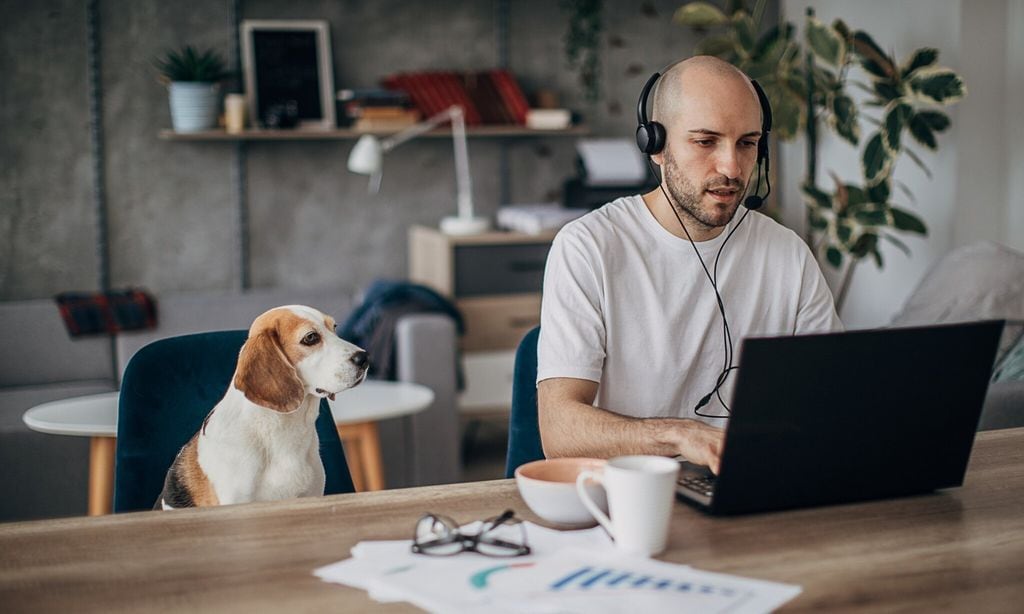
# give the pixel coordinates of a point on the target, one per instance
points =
(498, 323)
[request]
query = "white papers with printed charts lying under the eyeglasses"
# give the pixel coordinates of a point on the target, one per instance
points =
(572, 572)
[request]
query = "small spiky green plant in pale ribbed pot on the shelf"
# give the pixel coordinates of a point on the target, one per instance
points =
(193, 78)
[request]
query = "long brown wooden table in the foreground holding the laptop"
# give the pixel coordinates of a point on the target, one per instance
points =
(960, 550)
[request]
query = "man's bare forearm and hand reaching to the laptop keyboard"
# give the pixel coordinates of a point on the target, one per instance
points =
(572, 426)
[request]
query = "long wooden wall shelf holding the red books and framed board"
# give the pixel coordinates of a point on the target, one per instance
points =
(472, 133)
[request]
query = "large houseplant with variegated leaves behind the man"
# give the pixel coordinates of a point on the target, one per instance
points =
(807, 82)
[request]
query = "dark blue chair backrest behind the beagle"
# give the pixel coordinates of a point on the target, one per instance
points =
(169, 387)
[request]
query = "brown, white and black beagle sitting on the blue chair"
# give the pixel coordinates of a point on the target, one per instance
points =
(260, 443)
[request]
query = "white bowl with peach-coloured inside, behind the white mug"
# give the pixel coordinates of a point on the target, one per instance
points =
(549, 490)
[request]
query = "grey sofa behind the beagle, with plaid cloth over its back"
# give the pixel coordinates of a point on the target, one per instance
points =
(40, 363)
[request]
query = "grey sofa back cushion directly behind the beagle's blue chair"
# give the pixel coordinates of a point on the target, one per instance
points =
(203, 313)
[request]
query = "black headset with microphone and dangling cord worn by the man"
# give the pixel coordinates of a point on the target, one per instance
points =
(652, 139)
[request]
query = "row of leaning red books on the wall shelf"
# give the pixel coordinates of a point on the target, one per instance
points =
(487, 97)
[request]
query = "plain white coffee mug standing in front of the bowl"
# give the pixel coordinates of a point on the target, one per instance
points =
(641, 494)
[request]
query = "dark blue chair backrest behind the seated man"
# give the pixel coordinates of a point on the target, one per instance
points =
(525, 434)
